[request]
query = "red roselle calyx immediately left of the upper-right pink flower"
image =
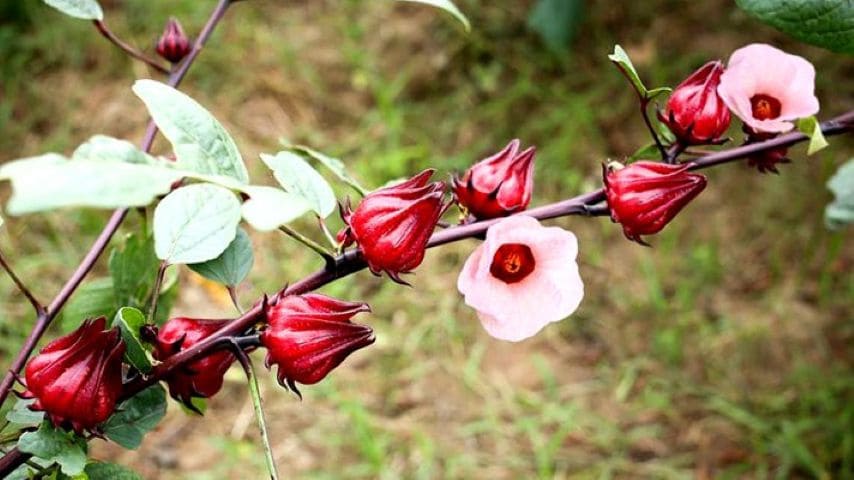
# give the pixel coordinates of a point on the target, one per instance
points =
(695, 113)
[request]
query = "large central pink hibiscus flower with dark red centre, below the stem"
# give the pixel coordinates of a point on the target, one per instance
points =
(522, 278)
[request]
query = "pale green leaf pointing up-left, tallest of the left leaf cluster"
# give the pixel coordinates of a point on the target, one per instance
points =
(200, 142)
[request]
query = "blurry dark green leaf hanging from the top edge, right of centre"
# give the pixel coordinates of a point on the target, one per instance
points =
(556, 22)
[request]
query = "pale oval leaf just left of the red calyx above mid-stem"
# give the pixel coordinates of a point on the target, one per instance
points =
(299, 178)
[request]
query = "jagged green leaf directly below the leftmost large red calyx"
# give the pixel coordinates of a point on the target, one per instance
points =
(55, 445)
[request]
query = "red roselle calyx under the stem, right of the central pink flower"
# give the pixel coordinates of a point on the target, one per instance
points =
(645, 196)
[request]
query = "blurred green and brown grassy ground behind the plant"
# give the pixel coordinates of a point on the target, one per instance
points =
(722, 352)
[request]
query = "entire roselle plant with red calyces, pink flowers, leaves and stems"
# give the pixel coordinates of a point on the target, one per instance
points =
(109, 377)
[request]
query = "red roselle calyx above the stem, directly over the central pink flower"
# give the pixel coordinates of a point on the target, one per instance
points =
(499, 185)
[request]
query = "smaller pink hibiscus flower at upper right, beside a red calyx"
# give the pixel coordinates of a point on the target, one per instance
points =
(768, 88)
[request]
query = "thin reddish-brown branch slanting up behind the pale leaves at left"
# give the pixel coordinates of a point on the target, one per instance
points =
(47, 316)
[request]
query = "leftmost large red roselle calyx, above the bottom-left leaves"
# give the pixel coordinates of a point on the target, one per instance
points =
(77, 379)
